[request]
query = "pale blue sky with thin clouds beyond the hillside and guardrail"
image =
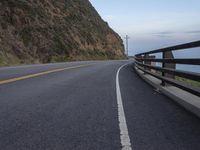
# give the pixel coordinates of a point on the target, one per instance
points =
(153, 24)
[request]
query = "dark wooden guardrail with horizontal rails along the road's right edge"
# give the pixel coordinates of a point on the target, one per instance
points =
(168, 72)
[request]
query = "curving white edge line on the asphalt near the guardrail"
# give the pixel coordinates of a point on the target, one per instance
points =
(124, 136)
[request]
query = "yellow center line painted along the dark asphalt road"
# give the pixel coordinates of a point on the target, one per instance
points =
(40, 74)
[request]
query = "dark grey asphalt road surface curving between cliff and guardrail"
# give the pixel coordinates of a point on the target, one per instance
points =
(76, 109)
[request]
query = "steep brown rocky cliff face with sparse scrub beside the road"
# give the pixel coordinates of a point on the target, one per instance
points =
(43, 31)
